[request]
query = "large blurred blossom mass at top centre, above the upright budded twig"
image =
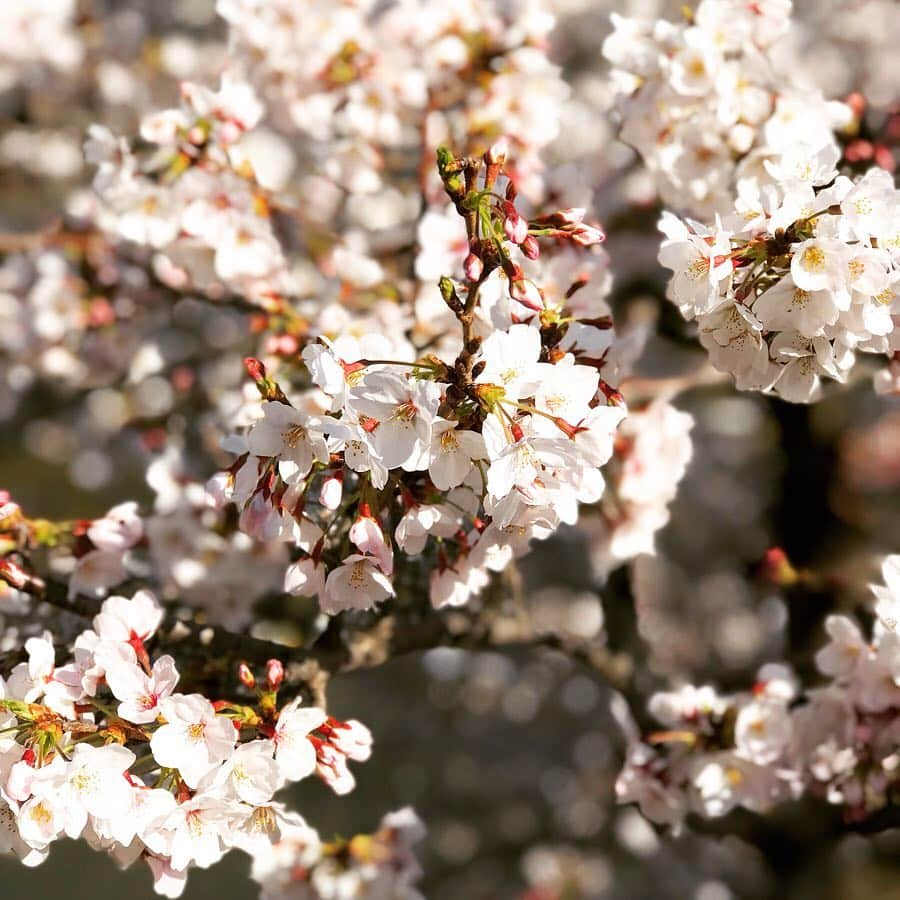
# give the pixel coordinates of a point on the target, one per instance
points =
(367, 83)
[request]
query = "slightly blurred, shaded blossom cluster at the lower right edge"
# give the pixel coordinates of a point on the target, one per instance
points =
(753, 749)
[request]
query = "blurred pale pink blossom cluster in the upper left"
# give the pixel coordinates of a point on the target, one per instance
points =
(196, 199)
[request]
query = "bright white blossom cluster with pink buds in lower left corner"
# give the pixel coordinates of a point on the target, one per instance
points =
(104, 747)
